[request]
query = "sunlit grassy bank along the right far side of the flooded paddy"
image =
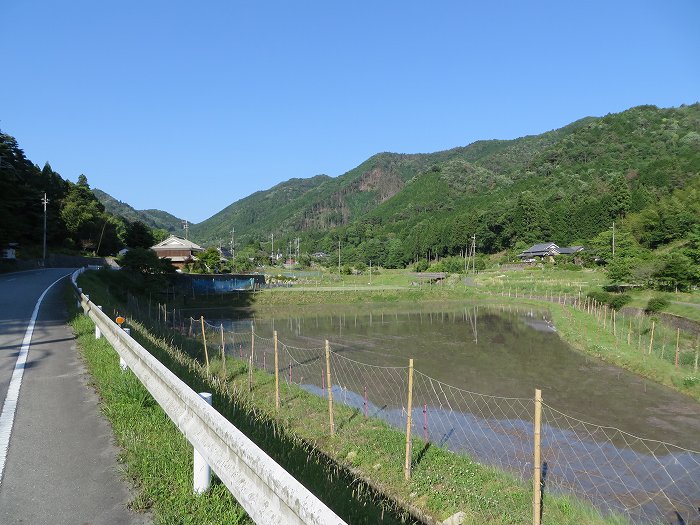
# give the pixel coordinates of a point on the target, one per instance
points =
(641, 344)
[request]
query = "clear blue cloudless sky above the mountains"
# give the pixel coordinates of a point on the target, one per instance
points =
(190, 106)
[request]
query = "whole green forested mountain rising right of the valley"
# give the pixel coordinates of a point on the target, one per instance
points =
(639, 168)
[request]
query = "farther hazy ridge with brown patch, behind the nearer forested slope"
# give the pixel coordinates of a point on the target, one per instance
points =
(322, 202)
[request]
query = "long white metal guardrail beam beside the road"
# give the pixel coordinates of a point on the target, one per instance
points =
(267, 492)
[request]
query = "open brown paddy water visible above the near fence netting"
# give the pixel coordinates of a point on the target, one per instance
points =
(495, 351)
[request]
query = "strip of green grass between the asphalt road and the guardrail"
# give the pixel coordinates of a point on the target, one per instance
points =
(155, 455)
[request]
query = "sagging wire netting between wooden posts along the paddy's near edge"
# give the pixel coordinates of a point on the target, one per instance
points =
(642, 479)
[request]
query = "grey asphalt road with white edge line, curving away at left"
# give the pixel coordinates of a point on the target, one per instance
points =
(60, 466)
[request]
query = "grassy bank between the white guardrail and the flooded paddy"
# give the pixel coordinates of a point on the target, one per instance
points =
(359, 471)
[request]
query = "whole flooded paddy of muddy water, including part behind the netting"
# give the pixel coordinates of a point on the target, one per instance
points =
(462, 355)
